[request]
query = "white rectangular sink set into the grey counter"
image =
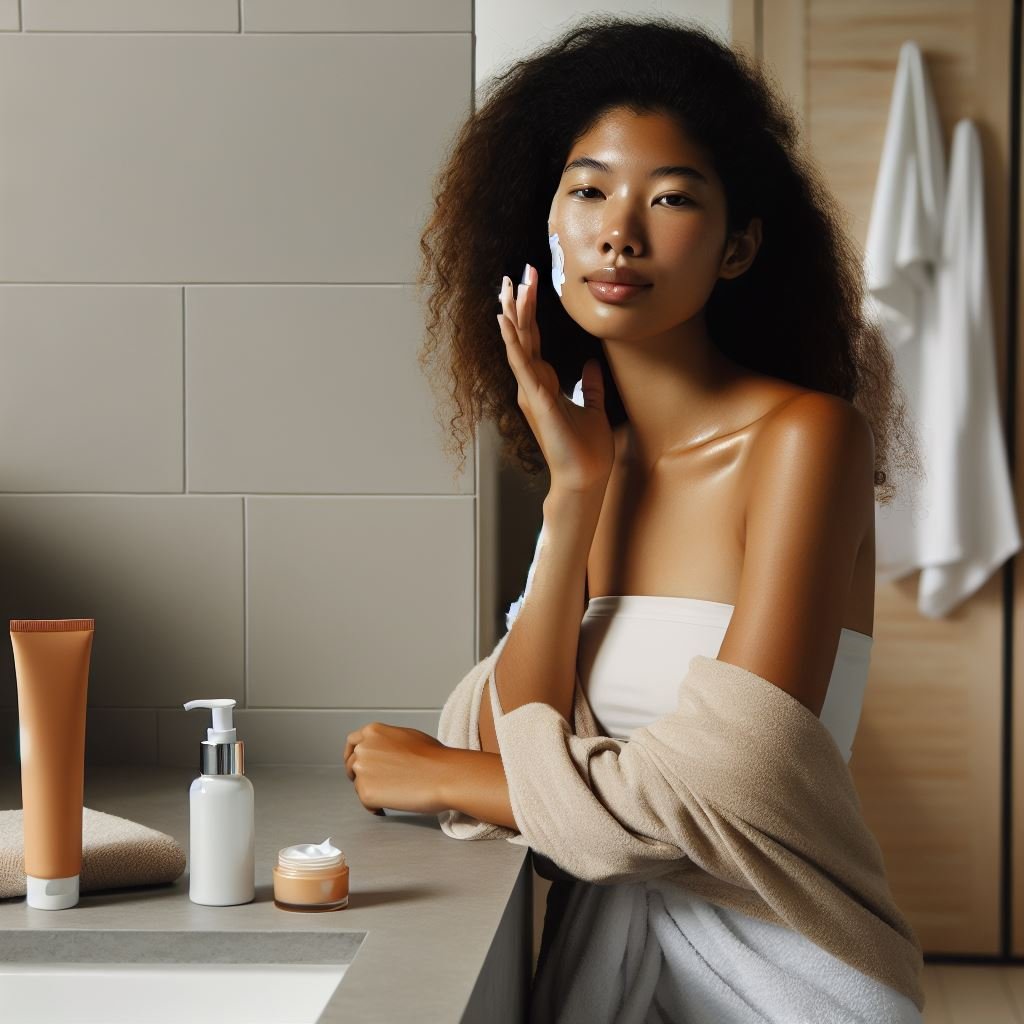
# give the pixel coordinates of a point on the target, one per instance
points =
(117, 977)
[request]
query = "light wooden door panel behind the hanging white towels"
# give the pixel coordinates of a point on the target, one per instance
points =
(927, 759)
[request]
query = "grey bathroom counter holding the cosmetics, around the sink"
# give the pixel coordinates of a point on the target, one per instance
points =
(443, 928)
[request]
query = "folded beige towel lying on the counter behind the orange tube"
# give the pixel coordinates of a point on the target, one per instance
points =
(116, 854)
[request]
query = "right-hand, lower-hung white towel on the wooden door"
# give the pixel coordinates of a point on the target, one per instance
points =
(973, 528)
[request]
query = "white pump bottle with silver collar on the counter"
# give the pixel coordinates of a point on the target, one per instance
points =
(222, 817)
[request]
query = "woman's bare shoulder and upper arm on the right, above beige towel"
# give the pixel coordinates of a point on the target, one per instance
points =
(809, 505)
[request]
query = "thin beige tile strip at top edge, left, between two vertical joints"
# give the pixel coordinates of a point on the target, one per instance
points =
(132, 16)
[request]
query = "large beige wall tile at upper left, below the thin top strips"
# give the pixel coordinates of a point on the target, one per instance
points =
(275, 159)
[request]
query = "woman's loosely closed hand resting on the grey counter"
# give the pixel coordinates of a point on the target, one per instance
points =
(396, 767)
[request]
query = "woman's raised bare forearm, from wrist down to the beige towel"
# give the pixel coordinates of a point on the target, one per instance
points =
(538, 662)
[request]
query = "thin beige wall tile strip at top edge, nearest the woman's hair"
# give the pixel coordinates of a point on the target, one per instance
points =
(329, 16)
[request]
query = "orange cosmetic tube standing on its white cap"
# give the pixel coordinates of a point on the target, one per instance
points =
(52, 661)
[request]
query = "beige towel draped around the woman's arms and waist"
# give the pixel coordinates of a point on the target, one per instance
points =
(740, 796)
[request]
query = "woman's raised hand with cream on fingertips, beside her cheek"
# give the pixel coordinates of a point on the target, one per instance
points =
(576, 441)
